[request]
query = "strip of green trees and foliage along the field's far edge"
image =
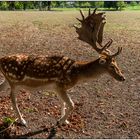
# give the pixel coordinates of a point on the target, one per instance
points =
(49, 5)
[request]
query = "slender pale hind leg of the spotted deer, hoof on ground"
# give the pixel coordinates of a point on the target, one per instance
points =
(15, 106)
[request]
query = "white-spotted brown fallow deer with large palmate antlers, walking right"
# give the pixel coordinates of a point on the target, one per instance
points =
(61, 72)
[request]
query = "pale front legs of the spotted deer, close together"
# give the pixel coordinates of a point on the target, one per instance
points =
(66, 102)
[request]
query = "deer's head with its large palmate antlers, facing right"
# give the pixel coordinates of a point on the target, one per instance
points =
(91, 32)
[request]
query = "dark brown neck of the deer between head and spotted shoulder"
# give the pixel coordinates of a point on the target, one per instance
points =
(88, 70)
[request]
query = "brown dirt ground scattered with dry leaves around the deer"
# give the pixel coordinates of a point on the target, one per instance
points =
(104, 107)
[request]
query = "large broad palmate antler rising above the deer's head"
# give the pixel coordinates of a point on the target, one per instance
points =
(91, 30)
